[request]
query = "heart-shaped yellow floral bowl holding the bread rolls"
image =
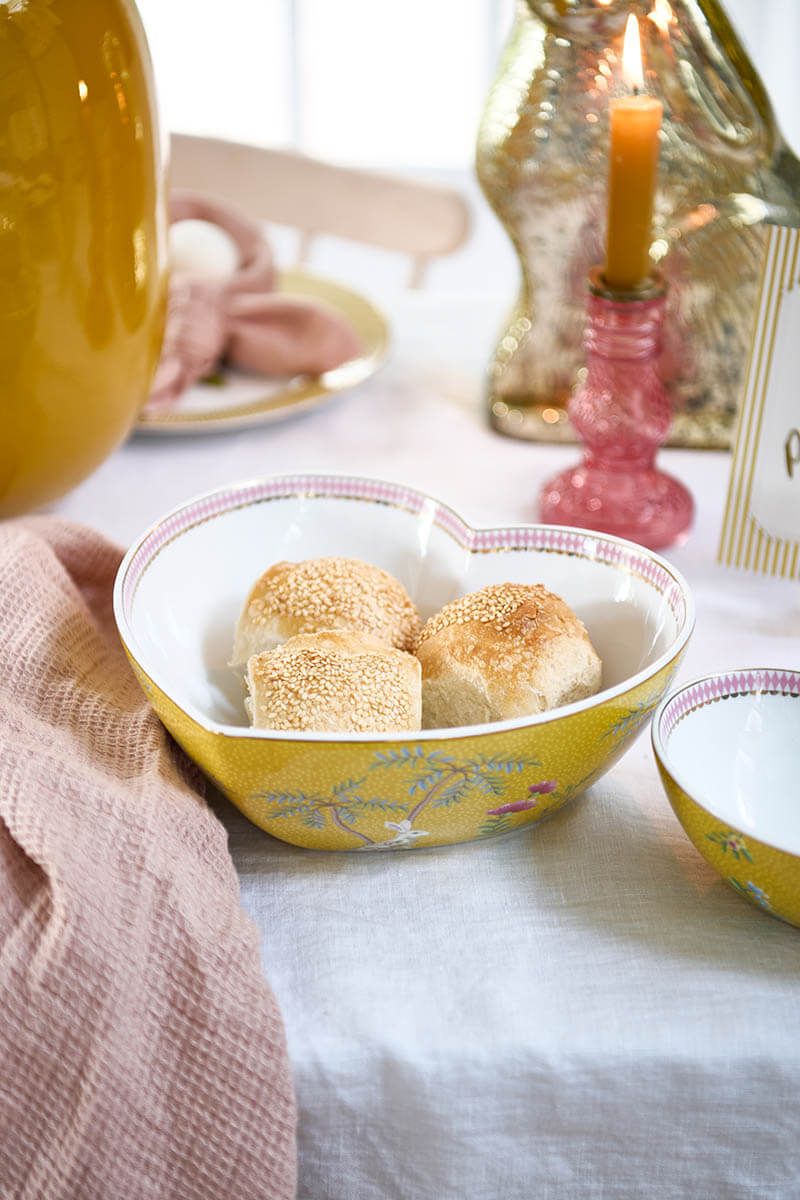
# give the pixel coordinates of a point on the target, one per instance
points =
(182, 587)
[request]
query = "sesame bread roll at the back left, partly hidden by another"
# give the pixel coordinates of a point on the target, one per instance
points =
(324, 593)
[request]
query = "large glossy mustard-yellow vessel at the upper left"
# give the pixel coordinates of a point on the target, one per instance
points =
(82, 241)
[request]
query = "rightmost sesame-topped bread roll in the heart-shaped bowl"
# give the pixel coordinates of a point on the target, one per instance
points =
(512, 650)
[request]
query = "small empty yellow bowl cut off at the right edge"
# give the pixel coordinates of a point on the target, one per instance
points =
(729, 752)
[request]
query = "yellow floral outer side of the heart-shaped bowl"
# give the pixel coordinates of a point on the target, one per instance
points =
(401, 794)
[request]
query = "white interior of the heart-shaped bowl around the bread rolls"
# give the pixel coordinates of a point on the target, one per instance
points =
(182, 619)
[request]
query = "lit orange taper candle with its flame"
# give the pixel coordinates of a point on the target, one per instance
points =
(634, 170)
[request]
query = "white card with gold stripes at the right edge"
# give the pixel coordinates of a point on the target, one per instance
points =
(762, 521)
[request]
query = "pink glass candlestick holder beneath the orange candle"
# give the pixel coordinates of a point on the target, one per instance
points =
(622, 413)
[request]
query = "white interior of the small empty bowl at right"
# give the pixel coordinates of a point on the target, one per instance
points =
(741, 759)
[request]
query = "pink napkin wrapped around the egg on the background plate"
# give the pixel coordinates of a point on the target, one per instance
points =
(243, 319)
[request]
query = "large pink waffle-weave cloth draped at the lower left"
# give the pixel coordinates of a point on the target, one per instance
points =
(142, 1053)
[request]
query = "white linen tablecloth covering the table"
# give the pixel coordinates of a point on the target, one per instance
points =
(584, 1011)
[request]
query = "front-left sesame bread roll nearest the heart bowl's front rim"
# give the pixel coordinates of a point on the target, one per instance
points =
(335, 683)
